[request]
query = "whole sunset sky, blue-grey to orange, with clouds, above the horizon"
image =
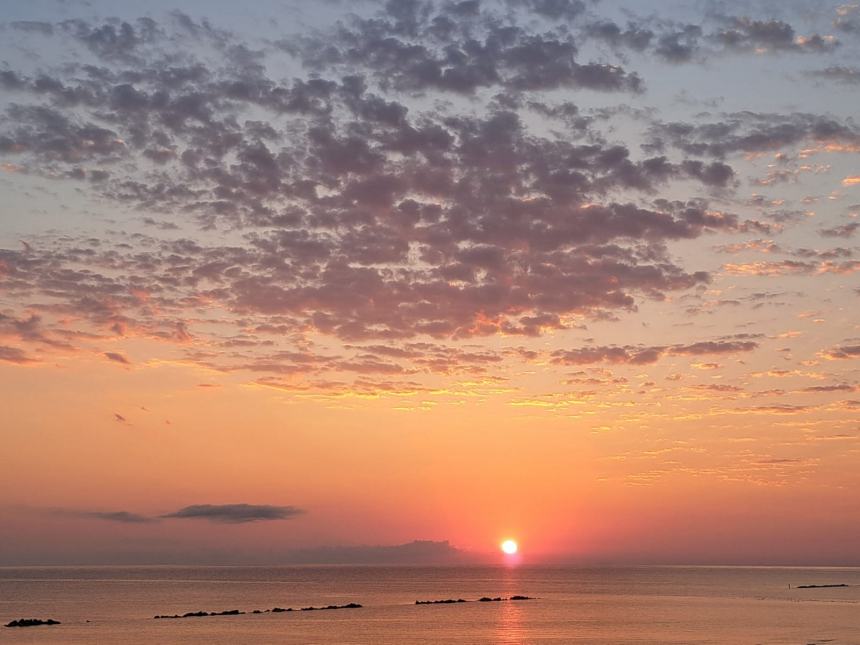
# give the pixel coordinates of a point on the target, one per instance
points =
(393, 281)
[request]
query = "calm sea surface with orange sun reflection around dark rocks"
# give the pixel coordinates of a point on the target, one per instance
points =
(572, 605)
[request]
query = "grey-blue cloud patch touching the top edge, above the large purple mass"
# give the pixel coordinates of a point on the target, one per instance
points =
(414, 47)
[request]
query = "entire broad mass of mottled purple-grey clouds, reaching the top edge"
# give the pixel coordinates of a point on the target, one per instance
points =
(364, 201)
